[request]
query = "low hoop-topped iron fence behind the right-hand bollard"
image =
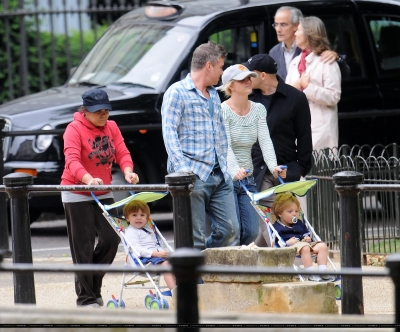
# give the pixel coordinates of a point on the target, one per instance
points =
(379, 209)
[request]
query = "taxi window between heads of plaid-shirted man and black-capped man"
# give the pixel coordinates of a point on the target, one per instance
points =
(240, 43)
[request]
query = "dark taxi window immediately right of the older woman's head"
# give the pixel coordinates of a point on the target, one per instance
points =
(343, 39)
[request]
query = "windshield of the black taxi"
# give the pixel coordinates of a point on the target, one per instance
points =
(133, 54)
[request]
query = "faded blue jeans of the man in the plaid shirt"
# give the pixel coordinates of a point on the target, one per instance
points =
(215, 198)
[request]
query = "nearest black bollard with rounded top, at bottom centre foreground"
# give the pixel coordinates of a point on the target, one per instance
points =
(184, 262)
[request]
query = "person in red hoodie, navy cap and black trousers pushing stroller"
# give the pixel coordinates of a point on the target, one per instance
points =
(92, 144)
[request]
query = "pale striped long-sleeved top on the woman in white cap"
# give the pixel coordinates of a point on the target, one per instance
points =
(243, 132)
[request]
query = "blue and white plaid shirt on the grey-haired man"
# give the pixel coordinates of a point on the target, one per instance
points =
(192, 137)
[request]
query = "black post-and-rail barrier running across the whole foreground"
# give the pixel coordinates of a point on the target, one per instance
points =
(187, 263)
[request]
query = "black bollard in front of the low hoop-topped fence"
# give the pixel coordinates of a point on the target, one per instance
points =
(350, 240)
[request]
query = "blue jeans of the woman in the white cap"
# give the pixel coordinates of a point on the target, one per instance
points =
(247, 215)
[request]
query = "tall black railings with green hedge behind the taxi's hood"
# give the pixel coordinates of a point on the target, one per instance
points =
(44, 39)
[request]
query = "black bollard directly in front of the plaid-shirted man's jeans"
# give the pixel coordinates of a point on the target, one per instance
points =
(180, 185)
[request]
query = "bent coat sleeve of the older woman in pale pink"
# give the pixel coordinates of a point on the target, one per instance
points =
(329, 93)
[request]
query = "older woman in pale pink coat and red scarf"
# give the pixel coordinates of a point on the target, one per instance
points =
(321, 82)
